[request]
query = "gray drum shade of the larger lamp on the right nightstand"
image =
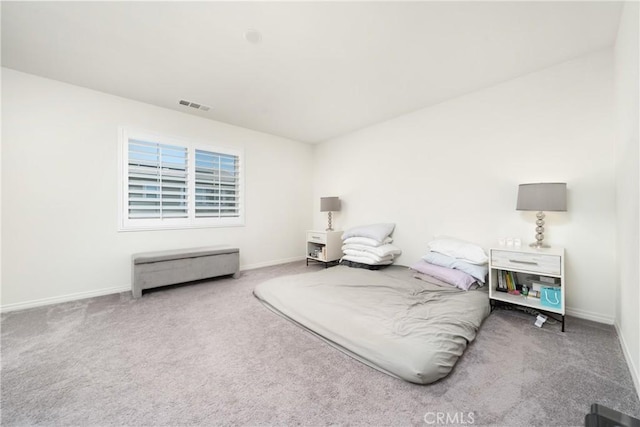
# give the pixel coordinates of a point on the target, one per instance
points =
(543, 196)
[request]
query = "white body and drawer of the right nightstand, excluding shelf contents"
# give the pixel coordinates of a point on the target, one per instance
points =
(528, 263)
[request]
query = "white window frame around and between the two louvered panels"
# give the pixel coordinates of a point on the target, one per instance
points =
(125, 223)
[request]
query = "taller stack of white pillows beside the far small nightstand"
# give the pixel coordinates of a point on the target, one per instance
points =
(369, 245)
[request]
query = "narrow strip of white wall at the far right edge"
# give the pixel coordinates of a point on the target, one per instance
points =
(627, 186)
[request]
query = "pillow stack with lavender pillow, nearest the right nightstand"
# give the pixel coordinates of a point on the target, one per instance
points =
(453, 262)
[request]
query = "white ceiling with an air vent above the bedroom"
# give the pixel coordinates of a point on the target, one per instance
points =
(321, 70)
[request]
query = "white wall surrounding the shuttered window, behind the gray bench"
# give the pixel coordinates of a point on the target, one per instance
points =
(60, 195)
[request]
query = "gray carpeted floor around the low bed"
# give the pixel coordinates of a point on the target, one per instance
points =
(211, 354)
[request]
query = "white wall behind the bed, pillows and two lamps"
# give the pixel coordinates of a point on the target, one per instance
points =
(453, 169)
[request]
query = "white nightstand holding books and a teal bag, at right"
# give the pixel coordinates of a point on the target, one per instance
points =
(517, 266)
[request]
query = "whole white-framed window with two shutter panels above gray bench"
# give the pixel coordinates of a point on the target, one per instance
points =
(170, 183)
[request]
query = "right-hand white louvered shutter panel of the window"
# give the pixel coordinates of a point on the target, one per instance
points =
(217, 185)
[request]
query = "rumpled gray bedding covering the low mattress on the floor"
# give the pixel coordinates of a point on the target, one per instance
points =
(387, 319)
